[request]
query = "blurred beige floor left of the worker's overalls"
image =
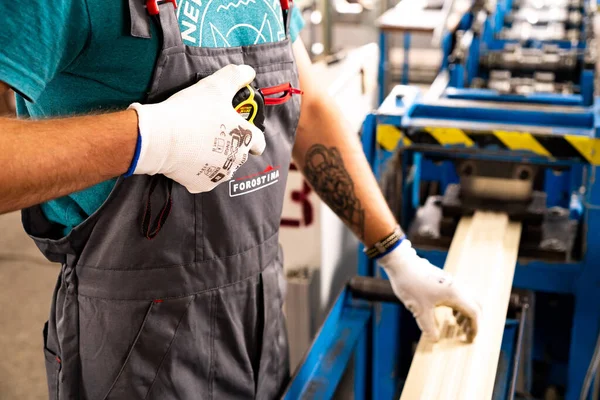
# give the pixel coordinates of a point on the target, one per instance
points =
(26, 283)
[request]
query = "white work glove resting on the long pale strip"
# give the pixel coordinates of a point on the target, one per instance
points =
(421, 287)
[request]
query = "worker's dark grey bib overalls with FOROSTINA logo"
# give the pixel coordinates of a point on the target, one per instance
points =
(195, 311)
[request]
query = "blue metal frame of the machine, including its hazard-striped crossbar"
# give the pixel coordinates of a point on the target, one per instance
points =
(558, 133)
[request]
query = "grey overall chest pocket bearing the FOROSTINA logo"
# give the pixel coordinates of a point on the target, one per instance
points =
(240, 214)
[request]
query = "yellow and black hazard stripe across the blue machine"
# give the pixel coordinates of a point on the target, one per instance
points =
(564, 147)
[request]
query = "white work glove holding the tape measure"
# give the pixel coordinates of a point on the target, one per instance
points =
(195, 137)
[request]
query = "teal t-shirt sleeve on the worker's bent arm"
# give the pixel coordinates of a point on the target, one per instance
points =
(39, 39)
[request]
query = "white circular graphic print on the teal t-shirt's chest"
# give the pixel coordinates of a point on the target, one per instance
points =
(229, 23)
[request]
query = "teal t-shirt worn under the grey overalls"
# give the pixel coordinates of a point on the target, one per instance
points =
(75, 56)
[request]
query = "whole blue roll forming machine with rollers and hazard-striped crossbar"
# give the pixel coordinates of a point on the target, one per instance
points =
(511, 124)
